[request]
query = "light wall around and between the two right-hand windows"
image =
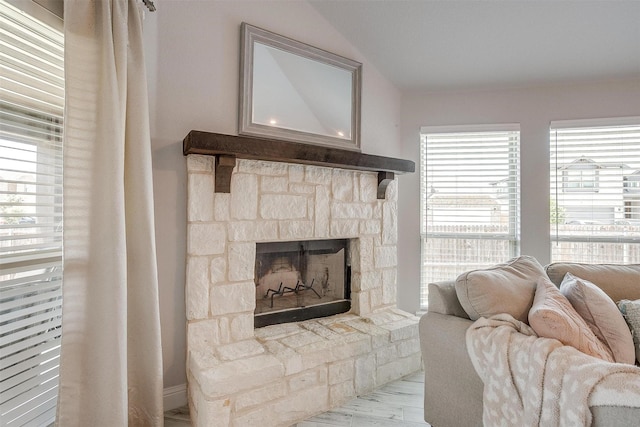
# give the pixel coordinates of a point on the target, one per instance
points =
(533, 108)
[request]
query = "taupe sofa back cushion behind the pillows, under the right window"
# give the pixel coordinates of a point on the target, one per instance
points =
(617, 281)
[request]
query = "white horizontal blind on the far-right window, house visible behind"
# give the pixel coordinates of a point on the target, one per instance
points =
(595, 191)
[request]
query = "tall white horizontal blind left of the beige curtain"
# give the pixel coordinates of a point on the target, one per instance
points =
(31, 109)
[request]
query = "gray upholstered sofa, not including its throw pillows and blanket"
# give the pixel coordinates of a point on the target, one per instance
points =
(453, 390)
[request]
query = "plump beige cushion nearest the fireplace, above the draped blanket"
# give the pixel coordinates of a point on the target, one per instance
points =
(504, 288)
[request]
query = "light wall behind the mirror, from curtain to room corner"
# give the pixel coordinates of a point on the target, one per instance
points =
(192, 56)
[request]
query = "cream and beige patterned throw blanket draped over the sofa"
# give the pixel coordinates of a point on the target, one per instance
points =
(532, 381)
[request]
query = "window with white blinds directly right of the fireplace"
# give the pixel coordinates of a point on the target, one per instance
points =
(470, 203)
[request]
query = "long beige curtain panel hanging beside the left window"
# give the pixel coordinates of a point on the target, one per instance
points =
(111, 367)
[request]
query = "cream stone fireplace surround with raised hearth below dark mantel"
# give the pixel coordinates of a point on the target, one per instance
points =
(281, 374)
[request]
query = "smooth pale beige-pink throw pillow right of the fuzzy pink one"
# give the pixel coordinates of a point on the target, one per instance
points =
(602, 316)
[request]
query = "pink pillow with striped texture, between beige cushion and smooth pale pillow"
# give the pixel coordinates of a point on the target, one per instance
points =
(552, 316)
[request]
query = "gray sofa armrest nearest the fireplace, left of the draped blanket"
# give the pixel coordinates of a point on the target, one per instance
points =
(452, 388)
